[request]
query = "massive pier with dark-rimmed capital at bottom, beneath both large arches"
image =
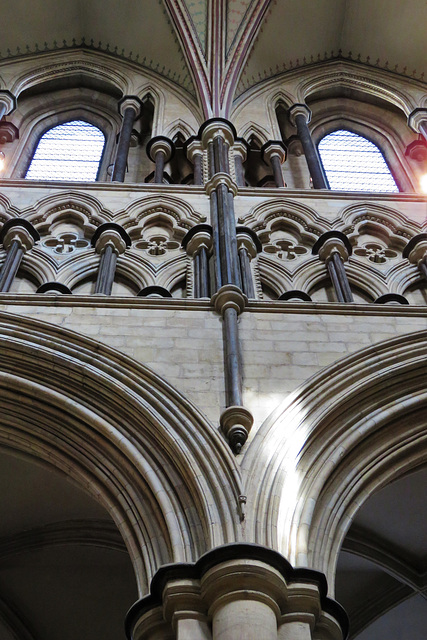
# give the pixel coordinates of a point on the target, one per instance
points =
(237, 591)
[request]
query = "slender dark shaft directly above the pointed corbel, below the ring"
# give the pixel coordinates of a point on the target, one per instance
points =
(233, 375)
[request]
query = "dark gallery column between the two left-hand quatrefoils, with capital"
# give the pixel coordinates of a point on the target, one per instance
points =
(110, 240)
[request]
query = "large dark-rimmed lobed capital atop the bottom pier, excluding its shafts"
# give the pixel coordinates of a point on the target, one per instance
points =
(232, 574)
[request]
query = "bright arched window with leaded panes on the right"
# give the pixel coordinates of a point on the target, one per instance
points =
(353, 163)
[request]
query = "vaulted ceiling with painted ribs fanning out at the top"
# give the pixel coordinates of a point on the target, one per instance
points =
(216, 49)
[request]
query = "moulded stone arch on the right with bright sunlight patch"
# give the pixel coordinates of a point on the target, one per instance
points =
(348, 431)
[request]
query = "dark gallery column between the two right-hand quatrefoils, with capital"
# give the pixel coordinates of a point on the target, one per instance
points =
(334, 248)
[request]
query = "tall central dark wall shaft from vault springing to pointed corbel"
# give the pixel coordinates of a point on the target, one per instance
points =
(217, 136)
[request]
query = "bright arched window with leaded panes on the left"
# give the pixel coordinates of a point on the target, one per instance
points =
(69, 151)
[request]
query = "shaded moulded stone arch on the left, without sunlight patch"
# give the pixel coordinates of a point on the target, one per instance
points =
(124, 435)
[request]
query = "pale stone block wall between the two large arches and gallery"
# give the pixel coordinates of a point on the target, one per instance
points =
(182, 342)
